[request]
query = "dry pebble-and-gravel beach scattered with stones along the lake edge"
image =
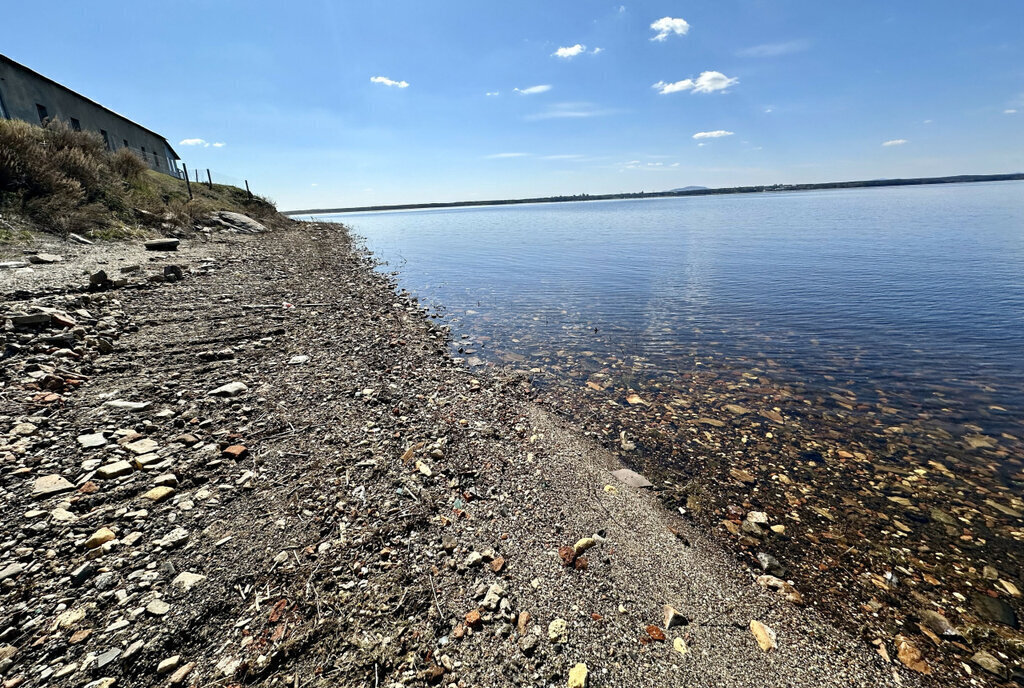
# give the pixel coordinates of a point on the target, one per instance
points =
(249, 461)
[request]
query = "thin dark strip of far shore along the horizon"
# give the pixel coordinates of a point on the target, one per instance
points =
(963, 179)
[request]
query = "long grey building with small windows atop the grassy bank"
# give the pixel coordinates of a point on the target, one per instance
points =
(31, 97)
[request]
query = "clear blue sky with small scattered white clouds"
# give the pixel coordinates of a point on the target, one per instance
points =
(323, 104)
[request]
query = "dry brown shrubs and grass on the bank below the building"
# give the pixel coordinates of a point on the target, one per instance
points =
(59, 181)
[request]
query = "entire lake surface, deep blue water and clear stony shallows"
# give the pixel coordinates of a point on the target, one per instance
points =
(849, 363)
